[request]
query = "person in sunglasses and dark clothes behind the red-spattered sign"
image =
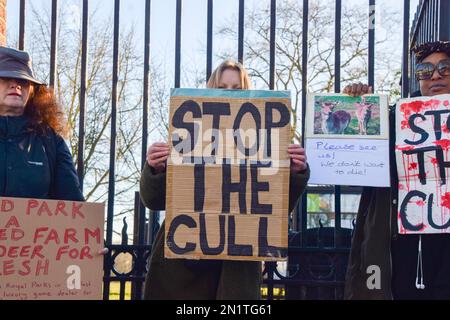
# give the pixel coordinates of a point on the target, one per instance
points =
(384, 264)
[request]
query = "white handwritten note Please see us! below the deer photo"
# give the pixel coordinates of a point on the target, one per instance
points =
(349, 162)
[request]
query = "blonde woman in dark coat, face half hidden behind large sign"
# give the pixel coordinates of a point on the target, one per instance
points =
(206, 279)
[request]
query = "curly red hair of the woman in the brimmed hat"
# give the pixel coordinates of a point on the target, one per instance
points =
(44, 111)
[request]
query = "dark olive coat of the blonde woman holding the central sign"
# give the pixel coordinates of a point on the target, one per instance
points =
(204, 279)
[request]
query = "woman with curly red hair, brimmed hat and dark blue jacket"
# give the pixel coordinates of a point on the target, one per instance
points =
(35, 161)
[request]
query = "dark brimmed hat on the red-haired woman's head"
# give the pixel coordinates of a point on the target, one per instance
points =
(16, 64)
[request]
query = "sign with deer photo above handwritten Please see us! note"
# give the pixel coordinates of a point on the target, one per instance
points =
(347, 140)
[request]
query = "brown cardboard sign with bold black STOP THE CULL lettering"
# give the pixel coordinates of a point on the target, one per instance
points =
(228, 175)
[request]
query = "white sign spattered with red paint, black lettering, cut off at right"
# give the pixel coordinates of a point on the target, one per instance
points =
(423, 158)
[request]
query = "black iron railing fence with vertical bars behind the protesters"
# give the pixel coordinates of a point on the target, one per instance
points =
(318, 255)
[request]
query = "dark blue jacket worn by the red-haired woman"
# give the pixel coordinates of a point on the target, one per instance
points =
(33, 165)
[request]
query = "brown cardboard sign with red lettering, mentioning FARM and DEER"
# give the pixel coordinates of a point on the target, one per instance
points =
(49, 249)
